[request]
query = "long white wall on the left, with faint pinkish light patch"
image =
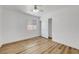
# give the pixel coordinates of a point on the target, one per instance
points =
(15, 25)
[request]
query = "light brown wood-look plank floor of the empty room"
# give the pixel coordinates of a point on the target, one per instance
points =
(37, 45)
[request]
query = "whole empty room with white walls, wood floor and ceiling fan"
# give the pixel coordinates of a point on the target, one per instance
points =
(39, 29)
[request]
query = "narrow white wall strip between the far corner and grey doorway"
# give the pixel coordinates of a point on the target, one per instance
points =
(44, 26)
